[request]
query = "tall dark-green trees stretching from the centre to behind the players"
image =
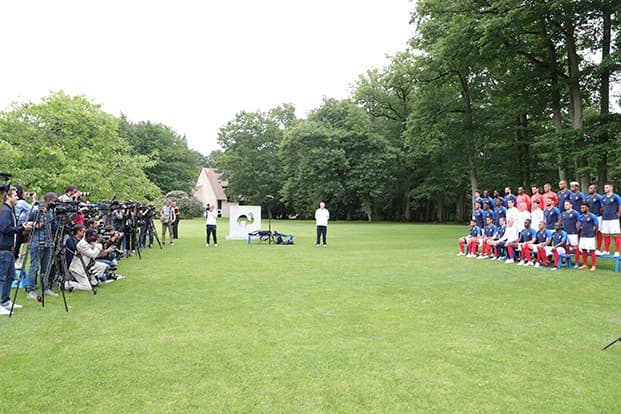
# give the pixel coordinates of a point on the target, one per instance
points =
(488, 94)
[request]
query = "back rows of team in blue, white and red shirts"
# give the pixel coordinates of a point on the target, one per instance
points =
(606, 207)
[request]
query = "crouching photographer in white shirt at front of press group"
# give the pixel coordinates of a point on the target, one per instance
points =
(84, 268)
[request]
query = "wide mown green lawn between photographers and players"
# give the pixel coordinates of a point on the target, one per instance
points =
(386, 319)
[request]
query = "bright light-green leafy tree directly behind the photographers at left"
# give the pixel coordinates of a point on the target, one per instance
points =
(69, 140)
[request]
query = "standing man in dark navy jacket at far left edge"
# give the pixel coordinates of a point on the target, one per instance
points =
(9, 232)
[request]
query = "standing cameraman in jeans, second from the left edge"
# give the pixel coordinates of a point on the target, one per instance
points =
(41, 245)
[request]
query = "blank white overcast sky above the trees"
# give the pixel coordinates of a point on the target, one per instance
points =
(192, 65)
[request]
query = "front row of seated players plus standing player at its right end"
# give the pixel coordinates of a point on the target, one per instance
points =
(535, 247)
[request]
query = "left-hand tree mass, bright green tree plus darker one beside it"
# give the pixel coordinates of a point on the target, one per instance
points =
(69, 140)
